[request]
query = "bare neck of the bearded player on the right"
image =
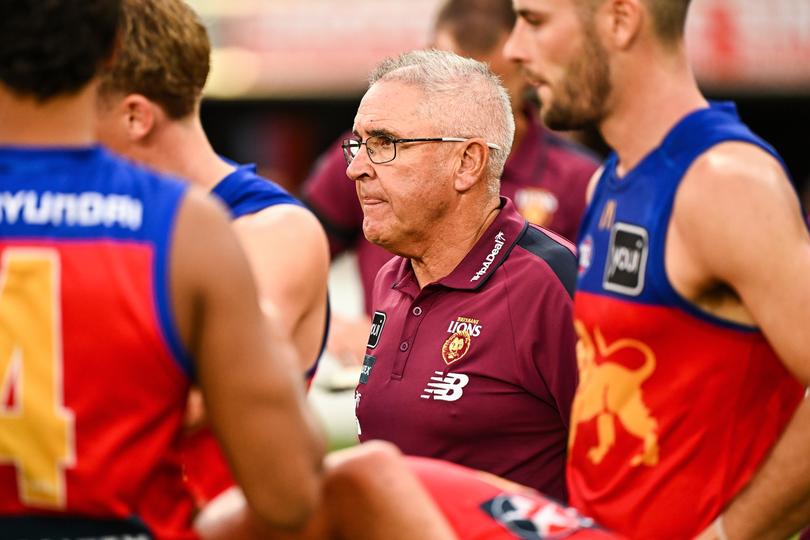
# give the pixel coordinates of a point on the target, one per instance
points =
(646, 106)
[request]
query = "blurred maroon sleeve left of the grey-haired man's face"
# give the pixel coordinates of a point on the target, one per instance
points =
(330, 194)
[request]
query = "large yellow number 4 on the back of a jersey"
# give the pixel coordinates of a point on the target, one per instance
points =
(36, 430)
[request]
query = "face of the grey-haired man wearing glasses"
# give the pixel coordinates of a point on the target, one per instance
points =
(404, 199)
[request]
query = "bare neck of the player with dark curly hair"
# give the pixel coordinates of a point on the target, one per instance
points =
(67, 121)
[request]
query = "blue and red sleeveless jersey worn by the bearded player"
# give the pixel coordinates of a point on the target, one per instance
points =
(676, 408)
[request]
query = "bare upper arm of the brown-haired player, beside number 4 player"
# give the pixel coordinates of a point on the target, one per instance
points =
(289, 256)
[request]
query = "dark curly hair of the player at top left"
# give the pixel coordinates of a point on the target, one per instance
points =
(50, 48)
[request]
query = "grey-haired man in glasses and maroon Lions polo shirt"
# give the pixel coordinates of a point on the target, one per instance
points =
(471, 352)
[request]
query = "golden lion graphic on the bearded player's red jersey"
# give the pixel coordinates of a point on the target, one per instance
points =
(609, 390)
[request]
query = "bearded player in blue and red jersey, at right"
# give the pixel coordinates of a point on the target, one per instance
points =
(694, 259)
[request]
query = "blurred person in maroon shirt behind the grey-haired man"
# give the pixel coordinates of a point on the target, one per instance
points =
(545, 175)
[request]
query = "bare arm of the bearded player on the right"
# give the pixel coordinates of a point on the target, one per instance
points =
(737, 221)
